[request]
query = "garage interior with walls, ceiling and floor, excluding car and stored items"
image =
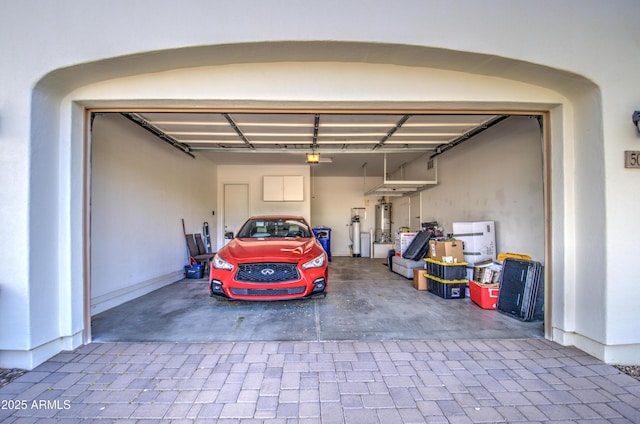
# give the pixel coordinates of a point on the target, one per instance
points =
(152, 168)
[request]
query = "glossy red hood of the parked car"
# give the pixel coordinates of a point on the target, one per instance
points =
(276, 250)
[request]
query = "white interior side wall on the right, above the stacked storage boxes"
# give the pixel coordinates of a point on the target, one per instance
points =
(494, 176)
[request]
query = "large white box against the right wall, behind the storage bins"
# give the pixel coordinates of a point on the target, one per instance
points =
(478, 238)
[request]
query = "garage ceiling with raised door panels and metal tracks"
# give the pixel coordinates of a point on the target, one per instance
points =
(347, 142)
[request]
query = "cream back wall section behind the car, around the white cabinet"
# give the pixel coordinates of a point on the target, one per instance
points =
(253, 176)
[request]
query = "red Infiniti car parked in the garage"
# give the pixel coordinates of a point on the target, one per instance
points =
(271, 258)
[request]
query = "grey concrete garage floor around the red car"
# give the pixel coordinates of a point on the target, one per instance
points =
(366, 302)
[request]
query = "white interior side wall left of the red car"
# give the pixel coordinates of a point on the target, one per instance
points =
(141, 189)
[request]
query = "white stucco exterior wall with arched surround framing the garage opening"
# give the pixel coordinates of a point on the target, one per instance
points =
(433, 54)
